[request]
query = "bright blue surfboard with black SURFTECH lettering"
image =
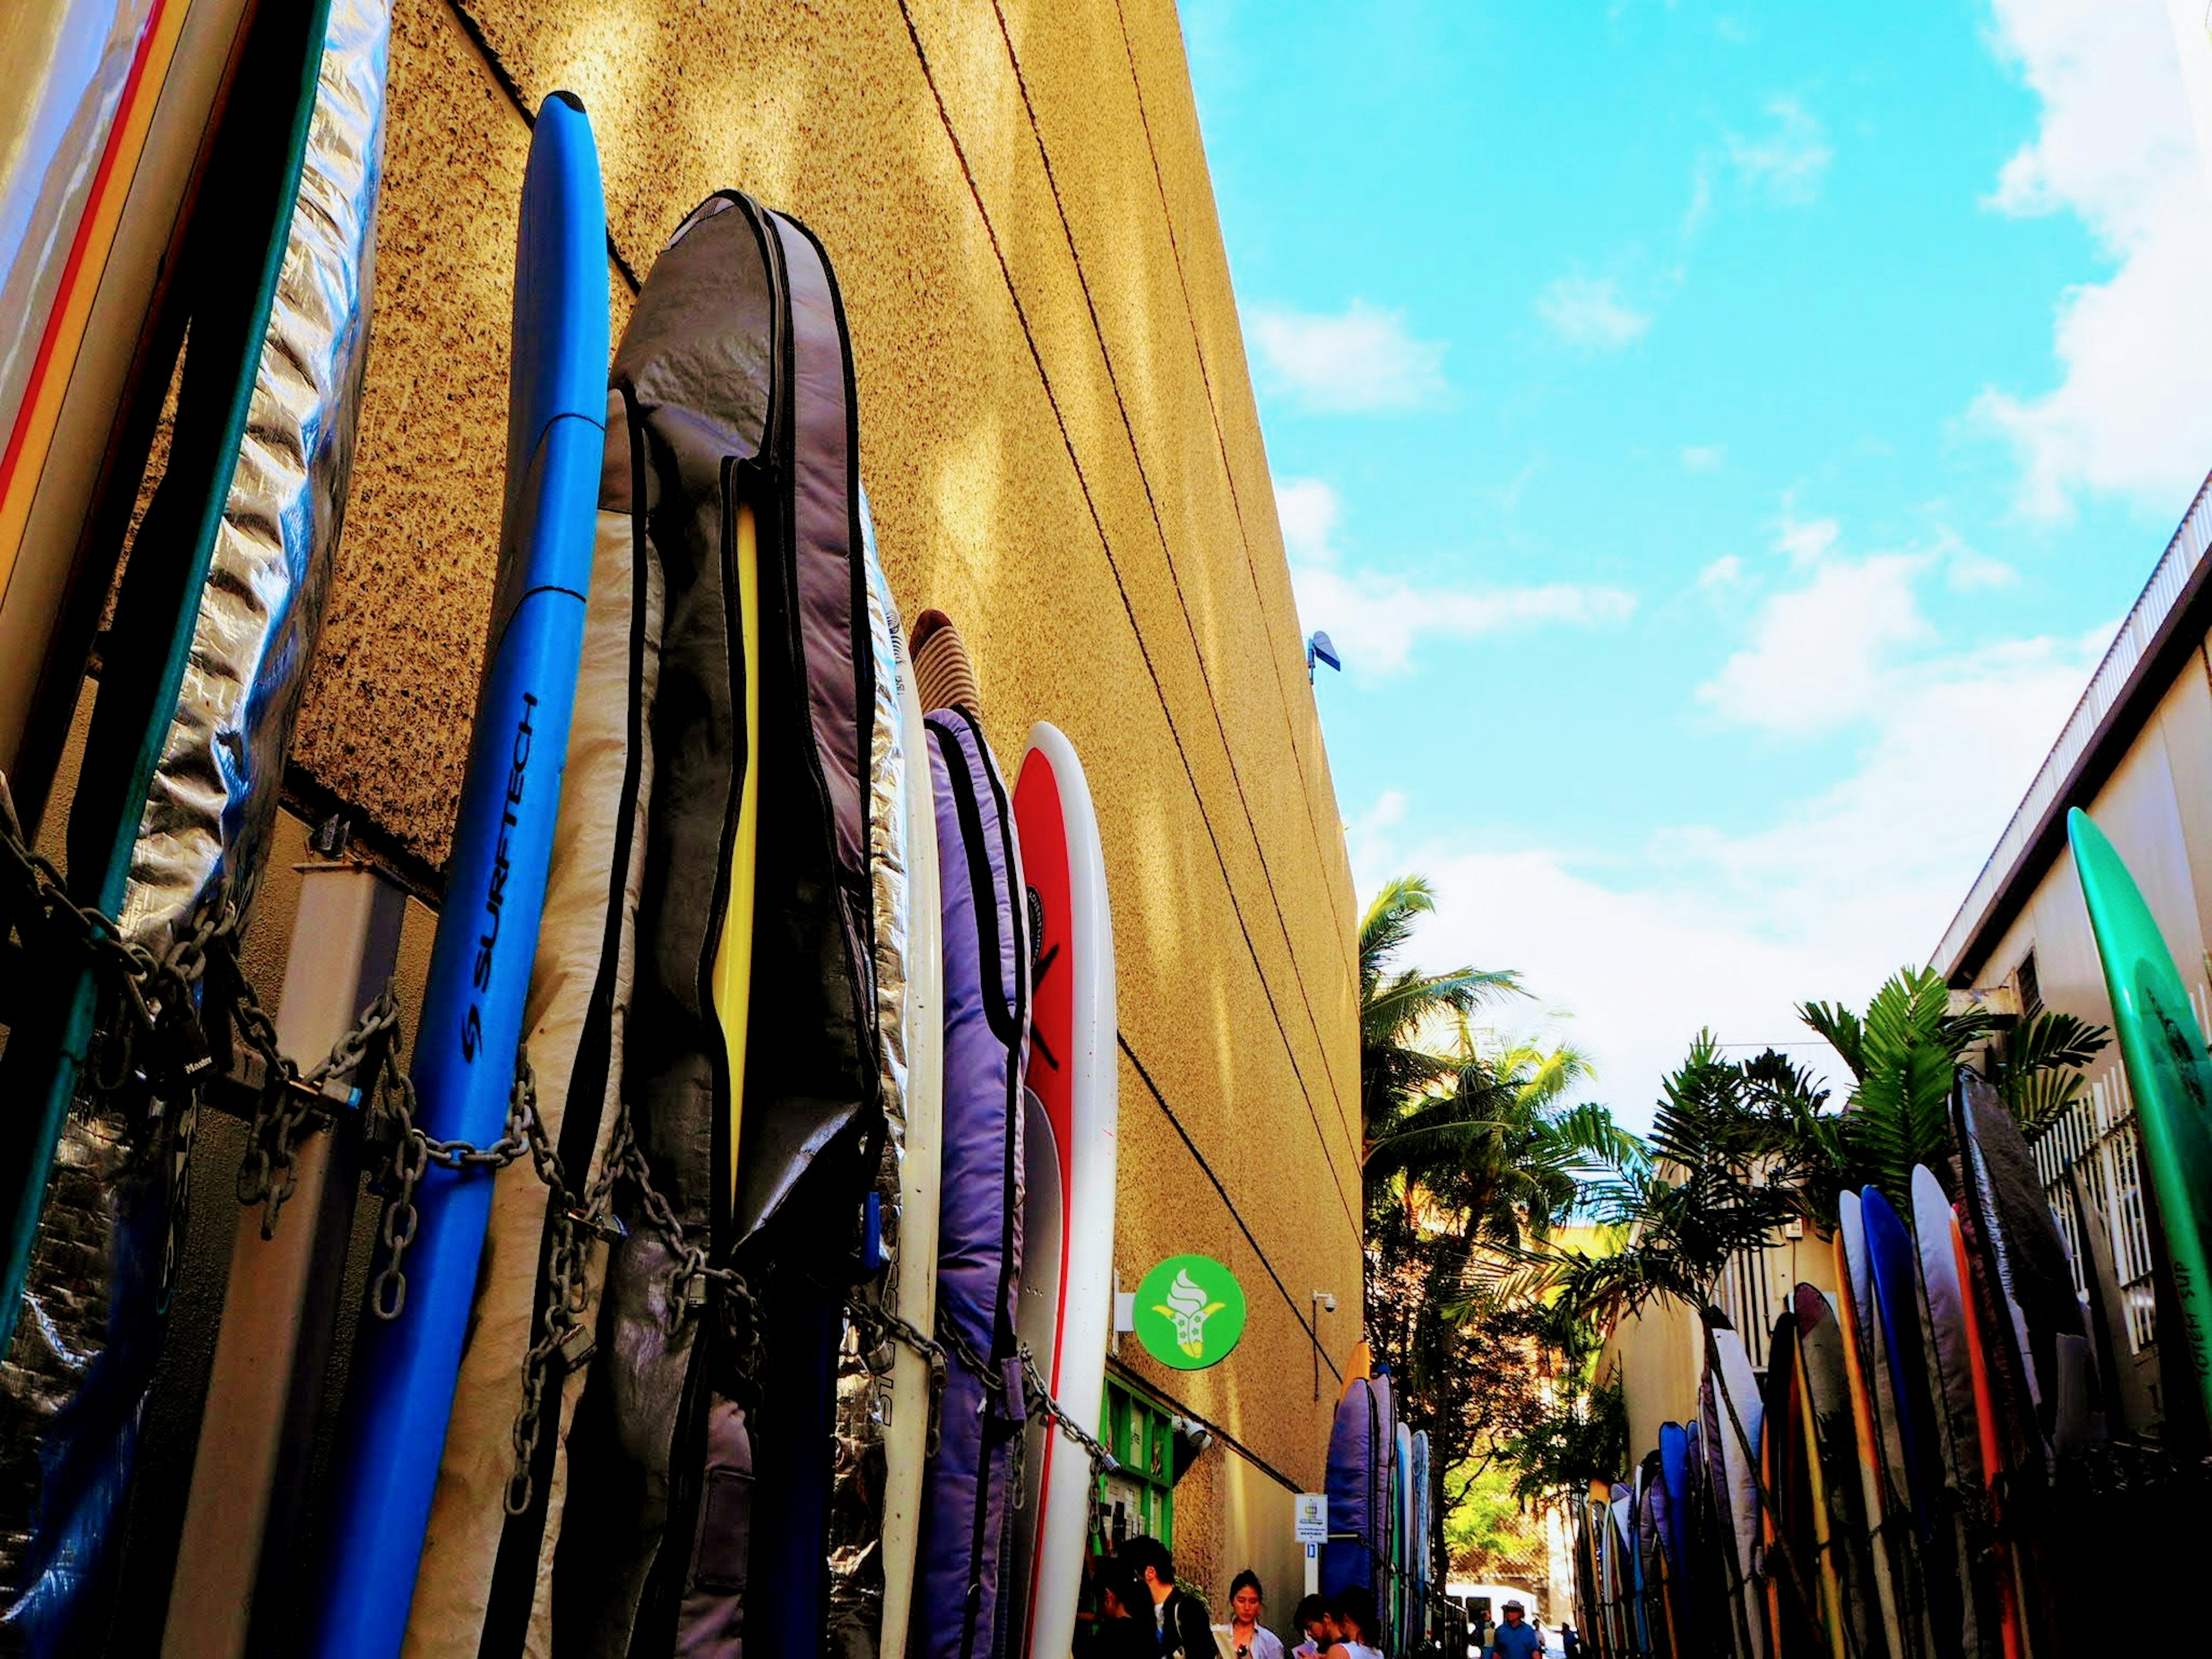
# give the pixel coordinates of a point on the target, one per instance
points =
(401, 1390)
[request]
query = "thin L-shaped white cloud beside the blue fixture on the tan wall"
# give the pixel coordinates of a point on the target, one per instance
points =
(1377, 618)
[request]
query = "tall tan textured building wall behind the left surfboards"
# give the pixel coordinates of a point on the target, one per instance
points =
(1063, 452)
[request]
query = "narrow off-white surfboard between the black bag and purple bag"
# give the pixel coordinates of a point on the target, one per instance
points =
(906, 1441)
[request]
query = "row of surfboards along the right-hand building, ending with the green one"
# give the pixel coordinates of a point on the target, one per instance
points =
(1954, 1452)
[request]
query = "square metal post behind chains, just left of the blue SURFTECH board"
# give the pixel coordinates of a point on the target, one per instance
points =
(267, 1379)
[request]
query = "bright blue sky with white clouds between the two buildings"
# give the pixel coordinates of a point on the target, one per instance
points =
(1722, 441)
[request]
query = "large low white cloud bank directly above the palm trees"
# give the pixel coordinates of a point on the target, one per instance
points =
(1707, 928)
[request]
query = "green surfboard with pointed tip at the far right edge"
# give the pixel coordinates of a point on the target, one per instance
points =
(2169, 1074)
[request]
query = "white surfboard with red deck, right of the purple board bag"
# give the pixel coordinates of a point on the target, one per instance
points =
(1072, 1072)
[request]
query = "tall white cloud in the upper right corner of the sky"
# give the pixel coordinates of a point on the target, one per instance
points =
(2116, 149)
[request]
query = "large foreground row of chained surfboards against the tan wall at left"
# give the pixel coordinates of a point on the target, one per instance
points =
(780, 1315)
